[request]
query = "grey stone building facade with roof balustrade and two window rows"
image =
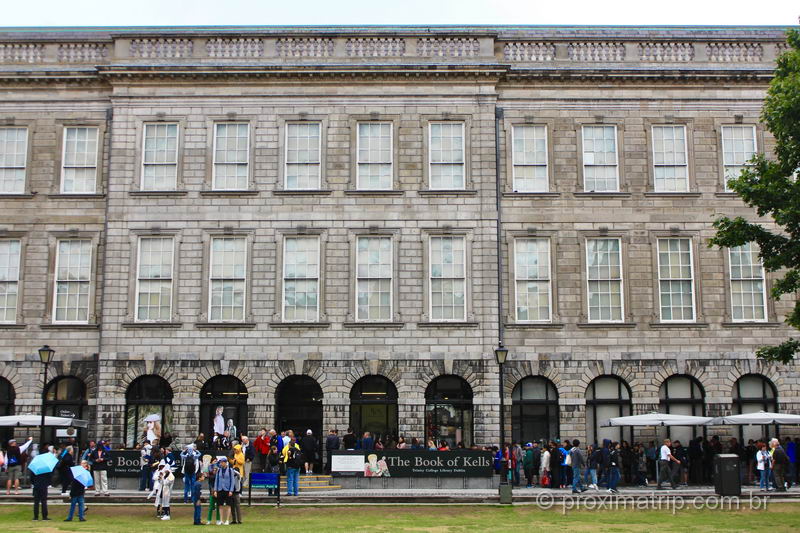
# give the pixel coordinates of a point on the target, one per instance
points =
(589, 109)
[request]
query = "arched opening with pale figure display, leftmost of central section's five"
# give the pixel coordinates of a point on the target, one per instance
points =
(148, 398)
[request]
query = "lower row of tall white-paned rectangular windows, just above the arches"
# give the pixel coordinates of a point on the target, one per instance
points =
(374, 283)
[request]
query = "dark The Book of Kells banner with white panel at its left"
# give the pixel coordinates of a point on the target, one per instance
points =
(413, 463)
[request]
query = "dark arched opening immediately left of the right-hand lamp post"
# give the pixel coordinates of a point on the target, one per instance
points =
(448, 411)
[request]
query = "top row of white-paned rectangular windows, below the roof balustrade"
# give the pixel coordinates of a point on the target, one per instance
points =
(374, 159)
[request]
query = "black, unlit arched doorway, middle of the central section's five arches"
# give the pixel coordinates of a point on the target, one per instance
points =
(298, 406)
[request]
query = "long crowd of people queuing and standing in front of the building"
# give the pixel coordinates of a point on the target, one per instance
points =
(224, 465)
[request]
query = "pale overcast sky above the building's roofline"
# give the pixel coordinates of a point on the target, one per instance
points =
(358, 12)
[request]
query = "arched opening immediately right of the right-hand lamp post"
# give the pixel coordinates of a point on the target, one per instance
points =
(534, 410)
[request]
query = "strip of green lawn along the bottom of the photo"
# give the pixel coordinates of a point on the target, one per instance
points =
(439, 519)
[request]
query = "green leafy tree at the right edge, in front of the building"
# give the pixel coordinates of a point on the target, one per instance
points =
(771, 186)
